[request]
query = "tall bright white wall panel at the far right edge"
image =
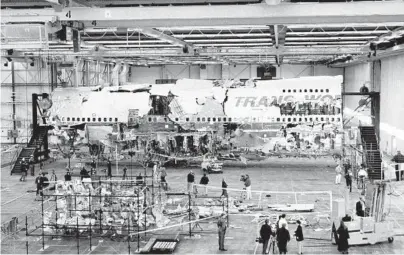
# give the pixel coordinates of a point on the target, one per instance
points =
(392, 104)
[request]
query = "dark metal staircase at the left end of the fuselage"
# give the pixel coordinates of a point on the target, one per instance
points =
(35, 144)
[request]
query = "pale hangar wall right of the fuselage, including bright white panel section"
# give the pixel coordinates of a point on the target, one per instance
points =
(386, 76)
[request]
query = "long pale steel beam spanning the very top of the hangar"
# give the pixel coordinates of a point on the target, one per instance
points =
(255, 14)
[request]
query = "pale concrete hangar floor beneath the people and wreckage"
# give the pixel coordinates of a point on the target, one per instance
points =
(273, 175)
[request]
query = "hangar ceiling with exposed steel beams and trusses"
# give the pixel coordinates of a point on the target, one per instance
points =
(155, 32)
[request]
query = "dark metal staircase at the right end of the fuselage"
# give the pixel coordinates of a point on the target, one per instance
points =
(372, 152)
